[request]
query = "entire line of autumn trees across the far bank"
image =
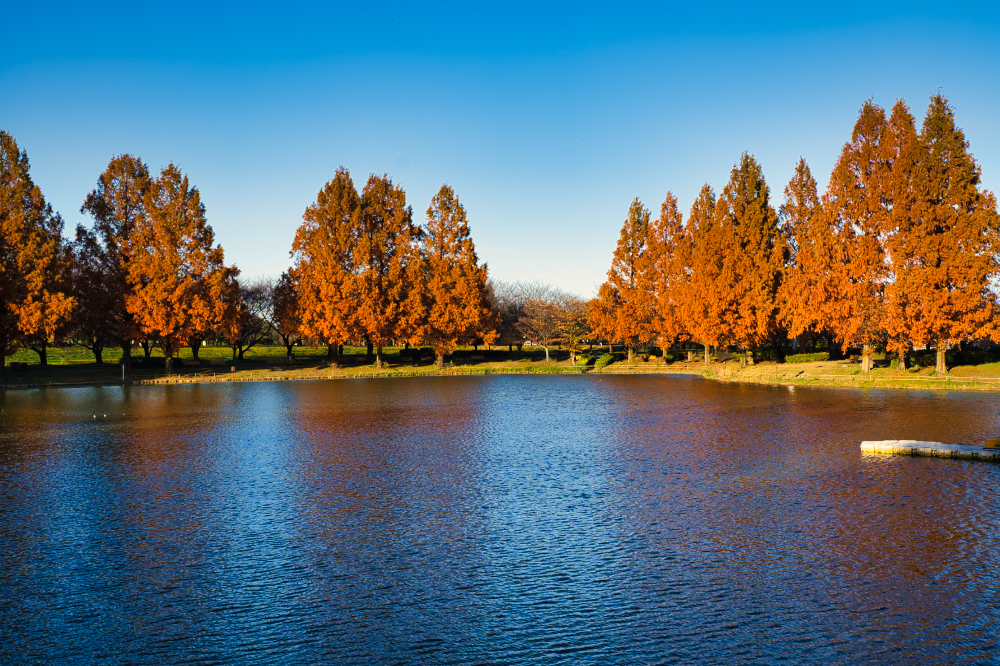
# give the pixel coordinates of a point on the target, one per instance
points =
(899, 252)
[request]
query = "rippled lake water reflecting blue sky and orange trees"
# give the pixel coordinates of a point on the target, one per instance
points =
(506, 520)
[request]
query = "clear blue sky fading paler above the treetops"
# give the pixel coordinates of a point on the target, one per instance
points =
(546, 121)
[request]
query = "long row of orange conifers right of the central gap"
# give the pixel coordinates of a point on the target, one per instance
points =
(900, 252)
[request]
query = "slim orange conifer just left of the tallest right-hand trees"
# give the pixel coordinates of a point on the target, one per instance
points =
(810, 289)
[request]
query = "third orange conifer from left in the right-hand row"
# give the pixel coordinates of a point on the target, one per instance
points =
(701, 294)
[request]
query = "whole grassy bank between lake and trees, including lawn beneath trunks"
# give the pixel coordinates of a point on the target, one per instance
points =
(74, 366)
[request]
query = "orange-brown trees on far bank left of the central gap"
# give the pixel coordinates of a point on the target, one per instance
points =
(148, 272)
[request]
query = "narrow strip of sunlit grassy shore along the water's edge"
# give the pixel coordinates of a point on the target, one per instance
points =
(831, 374)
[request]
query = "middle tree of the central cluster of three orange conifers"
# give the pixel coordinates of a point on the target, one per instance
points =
(387, 279)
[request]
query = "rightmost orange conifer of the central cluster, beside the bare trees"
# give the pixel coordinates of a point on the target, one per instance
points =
(456, 307)
